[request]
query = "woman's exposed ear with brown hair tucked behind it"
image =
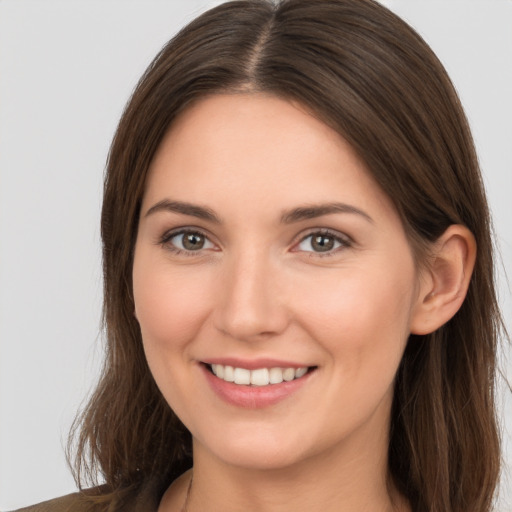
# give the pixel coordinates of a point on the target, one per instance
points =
(445, 282)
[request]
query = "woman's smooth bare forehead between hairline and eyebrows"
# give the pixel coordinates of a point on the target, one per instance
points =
(268, 151)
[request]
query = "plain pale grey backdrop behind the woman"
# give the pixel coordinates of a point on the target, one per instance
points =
(67, 68)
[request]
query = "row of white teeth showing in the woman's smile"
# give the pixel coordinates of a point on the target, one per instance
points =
(258, 377)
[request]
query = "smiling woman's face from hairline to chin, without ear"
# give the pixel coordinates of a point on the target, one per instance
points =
(266, 252)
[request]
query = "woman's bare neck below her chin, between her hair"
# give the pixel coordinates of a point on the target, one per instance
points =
(358, 483)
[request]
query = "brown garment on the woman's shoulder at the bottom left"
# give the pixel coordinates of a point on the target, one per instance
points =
(146, 499)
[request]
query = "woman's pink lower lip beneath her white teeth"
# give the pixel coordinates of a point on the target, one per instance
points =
(253, 397)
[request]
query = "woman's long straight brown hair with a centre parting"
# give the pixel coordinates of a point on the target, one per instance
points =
(368, 75)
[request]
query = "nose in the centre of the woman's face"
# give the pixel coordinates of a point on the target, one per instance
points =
(251, 305)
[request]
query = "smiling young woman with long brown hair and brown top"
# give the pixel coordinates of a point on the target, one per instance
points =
(299, 297)
